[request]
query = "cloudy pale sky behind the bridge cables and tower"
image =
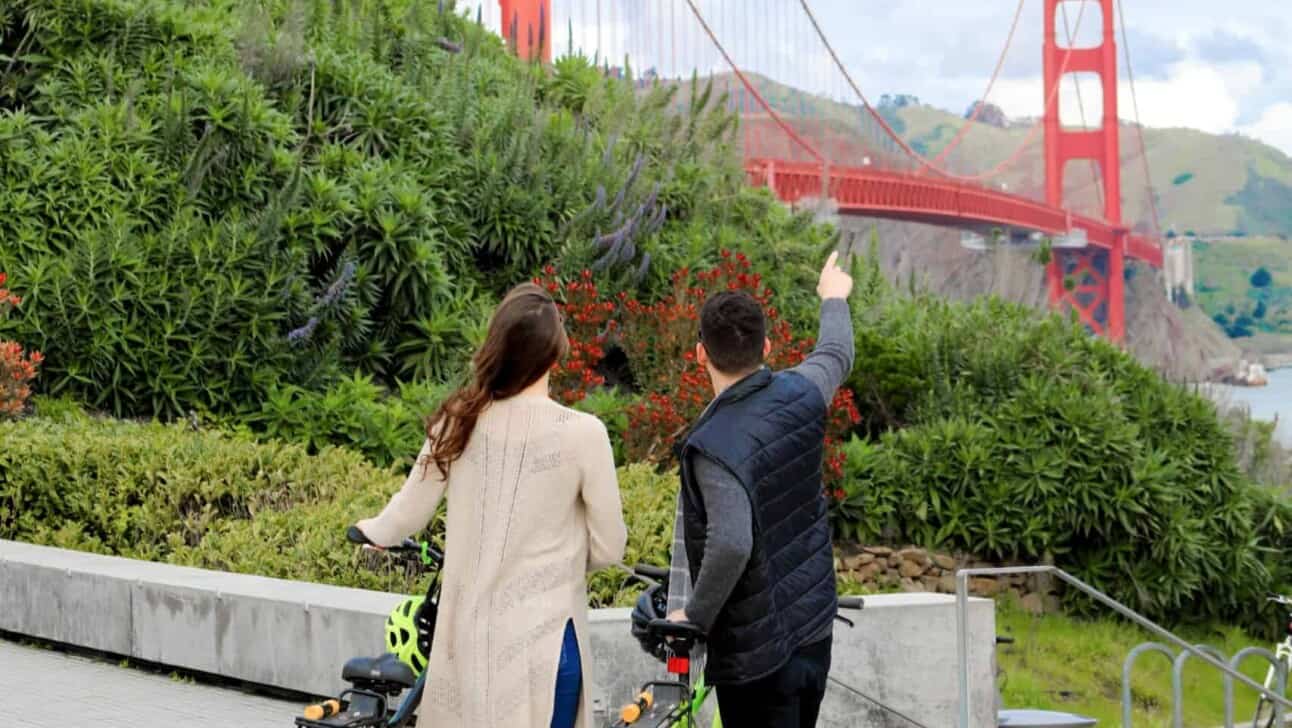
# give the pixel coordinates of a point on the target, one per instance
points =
(1219, 67)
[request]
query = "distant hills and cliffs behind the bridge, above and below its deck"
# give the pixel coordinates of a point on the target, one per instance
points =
(1210, 186)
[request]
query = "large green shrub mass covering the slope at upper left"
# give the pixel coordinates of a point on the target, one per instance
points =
(205, 202)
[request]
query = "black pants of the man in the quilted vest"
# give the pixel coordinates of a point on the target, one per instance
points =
(787, 699)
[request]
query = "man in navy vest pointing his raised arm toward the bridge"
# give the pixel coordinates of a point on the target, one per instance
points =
(754, 532)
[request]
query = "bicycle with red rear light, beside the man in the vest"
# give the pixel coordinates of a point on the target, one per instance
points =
(676, 703)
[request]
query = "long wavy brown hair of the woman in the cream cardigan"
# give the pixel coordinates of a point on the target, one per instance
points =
(526, 338)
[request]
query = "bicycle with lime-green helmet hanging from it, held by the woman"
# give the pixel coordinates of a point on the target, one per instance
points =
(378, 681)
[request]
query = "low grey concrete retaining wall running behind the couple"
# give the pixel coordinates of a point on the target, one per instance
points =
(297, 636)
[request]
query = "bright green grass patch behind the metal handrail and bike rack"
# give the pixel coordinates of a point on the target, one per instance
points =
(1060, 663)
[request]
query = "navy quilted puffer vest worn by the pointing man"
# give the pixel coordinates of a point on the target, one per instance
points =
(769, 431)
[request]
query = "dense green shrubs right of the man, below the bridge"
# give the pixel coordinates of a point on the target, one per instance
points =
(1015, 438)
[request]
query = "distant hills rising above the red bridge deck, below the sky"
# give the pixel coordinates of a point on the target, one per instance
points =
(1206, 184)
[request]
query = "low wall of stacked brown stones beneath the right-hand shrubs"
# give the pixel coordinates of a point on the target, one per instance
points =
(914, 570)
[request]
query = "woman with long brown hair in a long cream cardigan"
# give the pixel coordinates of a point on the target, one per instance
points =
(533, 508)
